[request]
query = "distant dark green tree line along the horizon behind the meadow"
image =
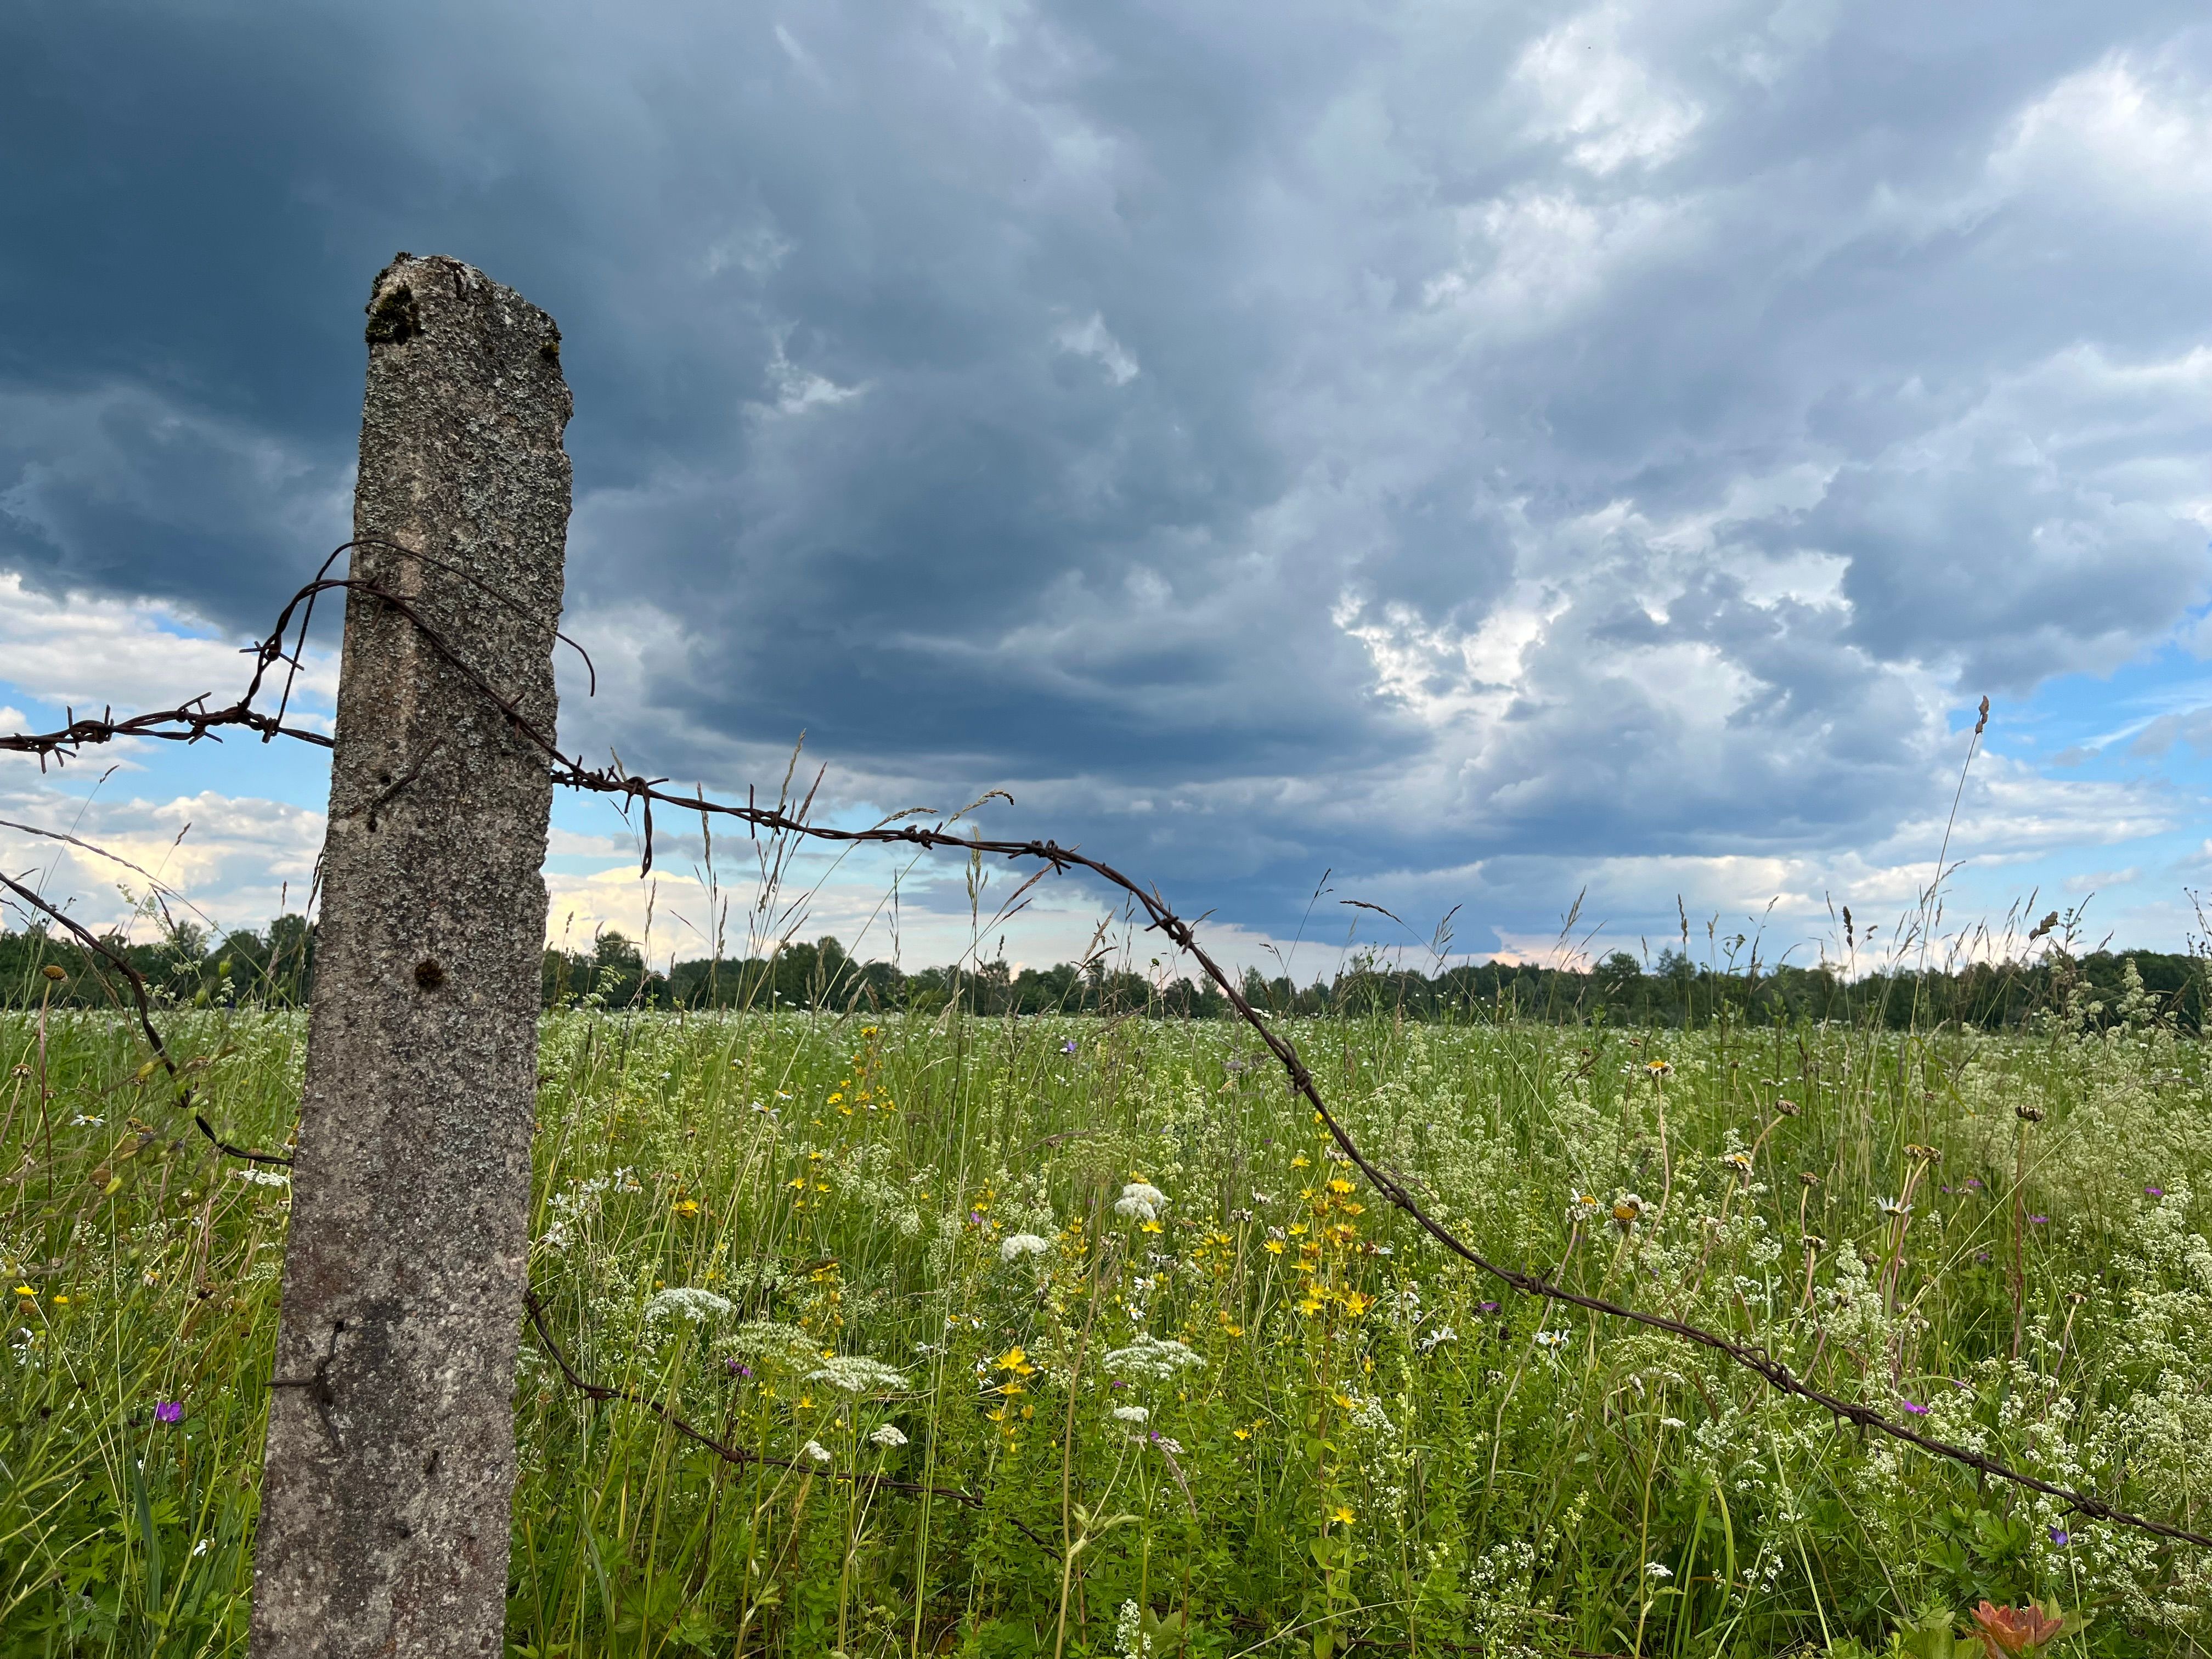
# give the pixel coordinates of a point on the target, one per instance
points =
(278, 966)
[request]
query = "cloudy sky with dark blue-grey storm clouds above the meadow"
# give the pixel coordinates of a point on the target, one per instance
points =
(1485, 452)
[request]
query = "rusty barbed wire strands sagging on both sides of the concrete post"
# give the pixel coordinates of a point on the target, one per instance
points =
(194, 722)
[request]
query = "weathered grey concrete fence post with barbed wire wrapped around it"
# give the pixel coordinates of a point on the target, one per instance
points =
(390, 1452)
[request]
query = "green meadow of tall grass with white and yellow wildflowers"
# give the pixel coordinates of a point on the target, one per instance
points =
(1074, 1337)
